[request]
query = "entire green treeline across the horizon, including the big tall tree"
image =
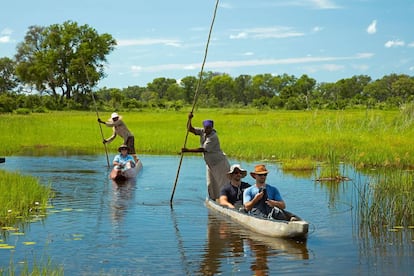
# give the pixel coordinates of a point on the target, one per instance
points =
(58, 67)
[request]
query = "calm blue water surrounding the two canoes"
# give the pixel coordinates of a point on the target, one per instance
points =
(99, 228)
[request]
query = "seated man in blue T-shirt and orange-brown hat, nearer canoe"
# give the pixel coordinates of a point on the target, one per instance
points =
(263, 199)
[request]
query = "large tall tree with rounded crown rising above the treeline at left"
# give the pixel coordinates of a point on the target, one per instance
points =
(63, 60)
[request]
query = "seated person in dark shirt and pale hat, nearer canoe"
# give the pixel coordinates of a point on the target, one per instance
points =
(231, 195)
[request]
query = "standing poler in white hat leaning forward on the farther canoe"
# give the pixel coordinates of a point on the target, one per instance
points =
(120, 128)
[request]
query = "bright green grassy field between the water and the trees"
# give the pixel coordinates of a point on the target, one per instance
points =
(362, 138)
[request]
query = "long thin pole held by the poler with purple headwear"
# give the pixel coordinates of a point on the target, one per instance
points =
(195, 100)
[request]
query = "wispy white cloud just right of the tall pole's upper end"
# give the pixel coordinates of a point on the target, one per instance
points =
(264, 33)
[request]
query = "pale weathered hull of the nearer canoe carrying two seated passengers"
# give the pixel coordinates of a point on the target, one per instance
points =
(266, 227)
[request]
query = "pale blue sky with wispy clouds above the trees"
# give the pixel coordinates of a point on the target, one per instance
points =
(327, 40)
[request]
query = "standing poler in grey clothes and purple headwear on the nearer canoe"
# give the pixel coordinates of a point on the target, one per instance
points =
(216, 161)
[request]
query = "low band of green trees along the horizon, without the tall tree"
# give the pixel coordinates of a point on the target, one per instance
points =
(263, 91)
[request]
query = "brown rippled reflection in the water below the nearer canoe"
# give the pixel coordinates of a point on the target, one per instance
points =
(227, 241)
